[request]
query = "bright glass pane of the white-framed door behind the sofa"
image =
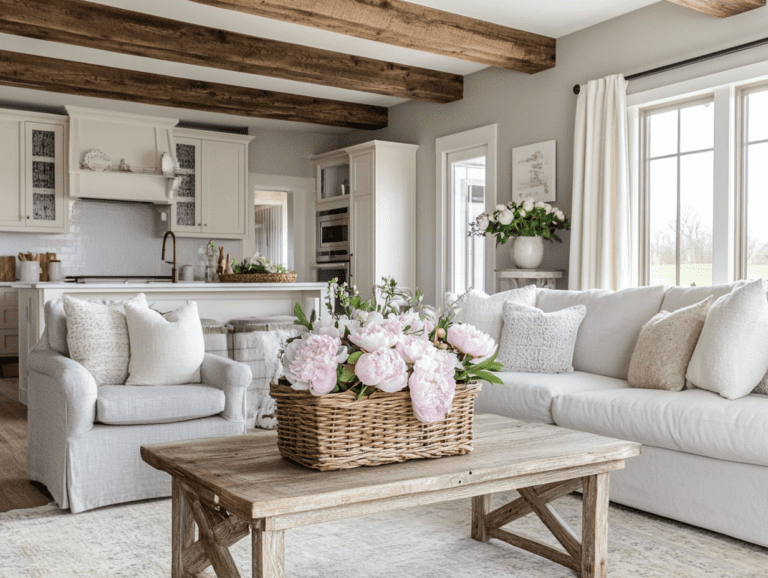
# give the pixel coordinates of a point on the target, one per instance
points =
(468, 178)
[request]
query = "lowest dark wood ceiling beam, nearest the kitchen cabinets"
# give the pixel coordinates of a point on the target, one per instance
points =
(55, 75)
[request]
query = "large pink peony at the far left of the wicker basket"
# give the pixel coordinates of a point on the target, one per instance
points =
(312, 363)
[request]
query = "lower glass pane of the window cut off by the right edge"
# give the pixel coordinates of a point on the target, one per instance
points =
(757, 209)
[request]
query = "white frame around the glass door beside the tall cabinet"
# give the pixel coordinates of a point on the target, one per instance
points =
(485, 135)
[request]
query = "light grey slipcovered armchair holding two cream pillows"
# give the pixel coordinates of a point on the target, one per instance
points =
(84, 439)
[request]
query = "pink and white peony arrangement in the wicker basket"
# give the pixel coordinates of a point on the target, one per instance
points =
(390, 343)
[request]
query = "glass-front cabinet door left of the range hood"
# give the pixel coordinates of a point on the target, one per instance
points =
(44, 175)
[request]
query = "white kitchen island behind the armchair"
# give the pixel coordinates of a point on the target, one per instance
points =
(219, 301)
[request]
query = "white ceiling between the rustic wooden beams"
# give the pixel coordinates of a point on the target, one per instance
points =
(553, 18)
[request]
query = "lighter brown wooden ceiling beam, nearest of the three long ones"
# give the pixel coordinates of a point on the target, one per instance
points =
(411, 26)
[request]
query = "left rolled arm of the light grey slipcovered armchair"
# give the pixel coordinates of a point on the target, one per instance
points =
(61, 387)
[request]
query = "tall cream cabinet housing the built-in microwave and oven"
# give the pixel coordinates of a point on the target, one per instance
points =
(382, 214)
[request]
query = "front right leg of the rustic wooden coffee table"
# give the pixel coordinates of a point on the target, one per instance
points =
(594, 538)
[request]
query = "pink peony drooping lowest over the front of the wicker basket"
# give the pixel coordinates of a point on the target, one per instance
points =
(432, 386)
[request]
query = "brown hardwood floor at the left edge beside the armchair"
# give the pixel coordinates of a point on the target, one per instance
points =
(16, 490)
